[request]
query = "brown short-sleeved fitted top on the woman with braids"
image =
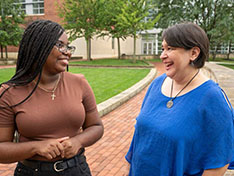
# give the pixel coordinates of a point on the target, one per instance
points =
(40, 117)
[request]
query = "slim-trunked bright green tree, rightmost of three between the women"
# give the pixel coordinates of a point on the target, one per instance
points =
(132, 17)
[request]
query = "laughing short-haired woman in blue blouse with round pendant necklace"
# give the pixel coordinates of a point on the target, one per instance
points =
(185, 127)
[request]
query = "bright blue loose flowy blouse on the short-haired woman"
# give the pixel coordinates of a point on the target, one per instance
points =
(196, 134)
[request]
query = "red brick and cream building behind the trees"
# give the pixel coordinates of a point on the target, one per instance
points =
(100, 48)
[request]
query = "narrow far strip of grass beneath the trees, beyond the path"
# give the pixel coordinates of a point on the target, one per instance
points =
(111, 62)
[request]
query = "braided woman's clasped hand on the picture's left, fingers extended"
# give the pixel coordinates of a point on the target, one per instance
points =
(51, 148)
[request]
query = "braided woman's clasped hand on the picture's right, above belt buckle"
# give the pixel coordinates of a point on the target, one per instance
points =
(71, 147)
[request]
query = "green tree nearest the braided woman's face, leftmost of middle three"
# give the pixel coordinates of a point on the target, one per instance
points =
(82, 19)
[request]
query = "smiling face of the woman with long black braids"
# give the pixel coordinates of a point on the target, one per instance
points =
(57, 61)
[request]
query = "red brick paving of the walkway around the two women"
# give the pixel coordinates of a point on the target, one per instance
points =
(106, 157)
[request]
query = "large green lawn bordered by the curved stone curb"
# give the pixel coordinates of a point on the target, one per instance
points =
(105, 82)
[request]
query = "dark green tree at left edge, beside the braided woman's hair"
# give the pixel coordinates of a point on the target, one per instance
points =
(11, 17)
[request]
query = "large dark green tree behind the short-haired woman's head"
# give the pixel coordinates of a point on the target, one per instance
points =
(211, 15)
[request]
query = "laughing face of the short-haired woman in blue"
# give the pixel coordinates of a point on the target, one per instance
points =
(176, 60)
